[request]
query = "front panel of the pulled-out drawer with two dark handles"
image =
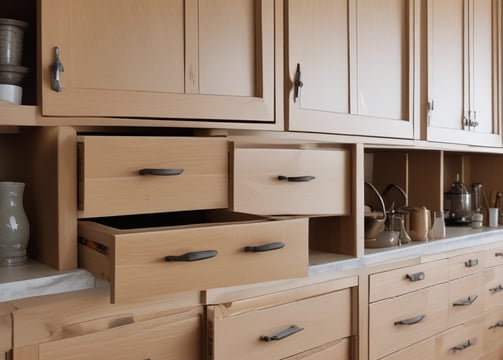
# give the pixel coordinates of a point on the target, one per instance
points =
(138, 267)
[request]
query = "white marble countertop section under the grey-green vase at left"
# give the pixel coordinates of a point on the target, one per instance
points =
(34, 279)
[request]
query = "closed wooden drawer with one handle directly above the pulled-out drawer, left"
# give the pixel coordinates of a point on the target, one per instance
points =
(110, 182)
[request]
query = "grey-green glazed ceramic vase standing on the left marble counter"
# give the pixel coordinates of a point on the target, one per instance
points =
(14, 225)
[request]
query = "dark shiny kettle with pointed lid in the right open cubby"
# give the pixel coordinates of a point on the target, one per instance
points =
(457, 204)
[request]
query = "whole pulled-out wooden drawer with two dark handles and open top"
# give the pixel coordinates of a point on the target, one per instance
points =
(232, 248)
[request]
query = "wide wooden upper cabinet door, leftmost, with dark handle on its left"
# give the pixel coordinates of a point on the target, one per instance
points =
(197, 59)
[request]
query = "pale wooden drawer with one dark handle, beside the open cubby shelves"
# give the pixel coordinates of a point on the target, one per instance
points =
(291, 181)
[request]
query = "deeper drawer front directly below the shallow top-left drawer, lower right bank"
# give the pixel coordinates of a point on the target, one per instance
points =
(402, 321)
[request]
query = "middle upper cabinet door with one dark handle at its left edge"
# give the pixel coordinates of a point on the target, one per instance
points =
(351, 66)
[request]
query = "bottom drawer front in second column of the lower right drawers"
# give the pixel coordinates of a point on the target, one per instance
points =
(463, 342)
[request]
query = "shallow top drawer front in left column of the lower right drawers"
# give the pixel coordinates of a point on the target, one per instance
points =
(400, 281)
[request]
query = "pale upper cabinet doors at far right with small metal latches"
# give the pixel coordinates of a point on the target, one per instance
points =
(463, 68)
